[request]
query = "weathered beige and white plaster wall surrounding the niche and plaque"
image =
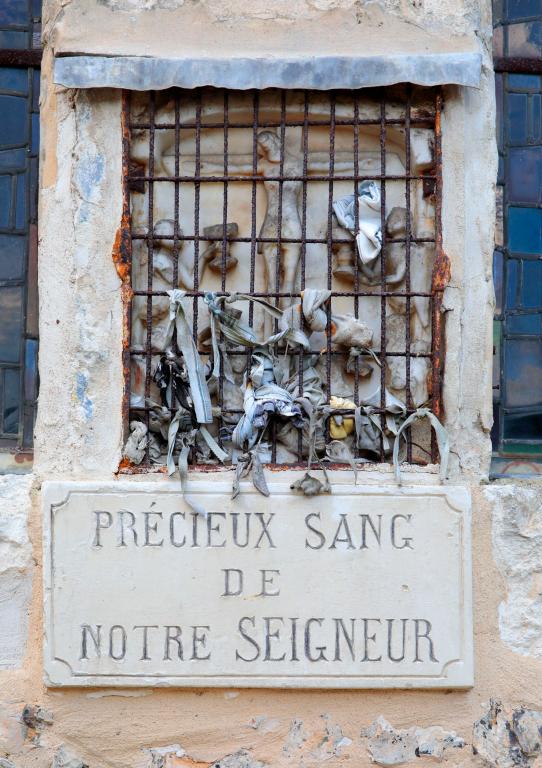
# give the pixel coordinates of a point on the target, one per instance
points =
(79, 436)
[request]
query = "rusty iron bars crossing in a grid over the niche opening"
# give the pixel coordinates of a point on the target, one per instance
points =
(135, 181)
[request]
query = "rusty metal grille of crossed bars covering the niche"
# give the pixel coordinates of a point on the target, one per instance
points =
(400, 113)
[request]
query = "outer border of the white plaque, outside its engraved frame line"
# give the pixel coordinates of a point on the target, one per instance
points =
(455, 674)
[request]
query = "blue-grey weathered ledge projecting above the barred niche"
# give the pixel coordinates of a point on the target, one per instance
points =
(142, 73)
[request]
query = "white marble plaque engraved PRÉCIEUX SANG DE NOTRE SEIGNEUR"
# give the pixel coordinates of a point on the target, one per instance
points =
(369, 587)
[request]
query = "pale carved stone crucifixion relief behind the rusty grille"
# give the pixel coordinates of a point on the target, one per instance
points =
(258, 215)
